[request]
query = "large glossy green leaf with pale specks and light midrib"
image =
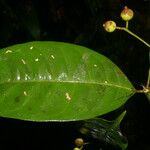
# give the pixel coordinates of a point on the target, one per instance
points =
(54, 81)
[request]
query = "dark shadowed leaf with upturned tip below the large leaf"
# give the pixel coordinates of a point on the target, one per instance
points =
(106, 131)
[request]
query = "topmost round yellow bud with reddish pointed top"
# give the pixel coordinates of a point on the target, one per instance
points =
(127, 14)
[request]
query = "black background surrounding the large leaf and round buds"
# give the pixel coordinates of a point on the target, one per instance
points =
(80, 22)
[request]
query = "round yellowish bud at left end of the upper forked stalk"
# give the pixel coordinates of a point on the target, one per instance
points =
(109, 26)
